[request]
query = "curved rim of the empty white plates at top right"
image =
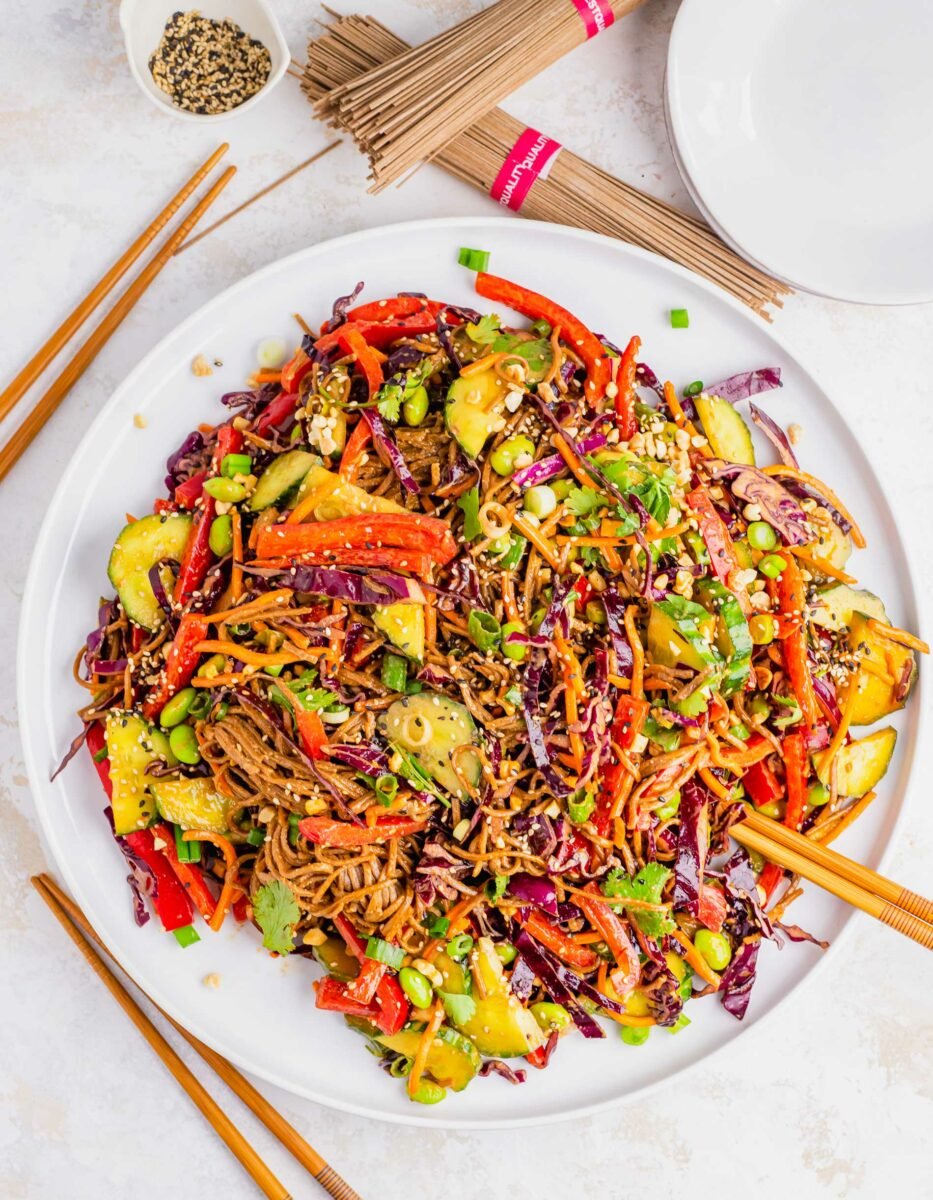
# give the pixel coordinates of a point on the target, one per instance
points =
(886, 297)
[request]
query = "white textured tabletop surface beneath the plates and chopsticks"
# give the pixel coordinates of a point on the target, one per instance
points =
(832, 1100)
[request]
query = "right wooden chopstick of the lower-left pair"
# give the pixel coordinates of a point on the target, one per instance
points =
(256, 1102)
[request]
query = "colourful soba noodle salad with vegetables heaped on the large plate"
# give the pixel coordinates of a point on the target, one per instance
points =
(449, 659)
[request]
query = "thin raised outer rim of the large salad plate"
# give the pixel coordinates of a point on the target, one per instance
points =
(32, 603)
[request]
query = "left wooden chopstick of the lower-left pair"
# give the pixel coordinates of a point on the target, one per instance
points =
(222, 1125)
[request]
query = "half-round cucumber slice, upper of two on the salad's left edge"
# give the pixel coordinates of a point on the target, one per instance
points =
(139, 549)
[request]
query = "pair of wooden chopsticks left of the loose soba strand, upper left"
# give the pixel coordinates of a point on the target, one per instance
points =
(87, 353)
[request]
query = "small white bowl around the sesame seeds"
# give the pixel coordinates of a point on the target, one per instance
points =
(143, 23)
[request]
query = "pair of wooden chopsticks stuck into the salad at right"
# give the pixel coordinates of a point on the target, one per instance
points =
(859, 886)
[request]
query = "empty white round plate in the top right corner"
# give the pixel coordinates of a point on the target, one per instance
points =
(806, 131)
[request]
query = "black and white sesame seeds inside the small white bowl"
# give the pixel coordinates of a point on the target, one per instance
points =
(209, 67)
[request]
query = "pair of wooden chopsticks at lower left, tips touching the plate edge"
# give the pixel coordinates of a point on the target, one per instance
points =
(80, 931)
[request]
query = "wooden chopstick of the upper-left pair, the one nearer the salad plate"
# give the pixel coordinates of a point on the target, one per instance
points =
(112, 321)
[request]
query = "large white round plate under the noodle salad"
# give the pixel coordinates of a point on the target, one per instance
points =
(119, 469)
